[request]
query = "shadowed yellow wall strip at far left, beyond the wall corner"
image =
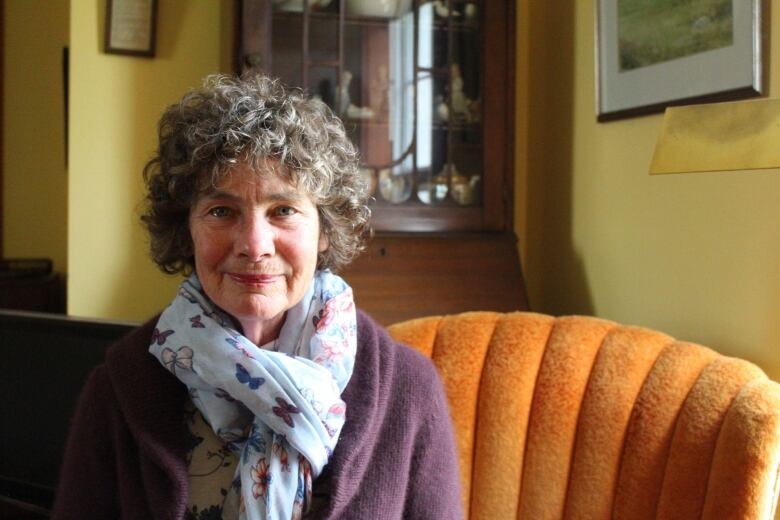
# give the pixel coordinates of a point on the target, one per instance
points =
(34, 175)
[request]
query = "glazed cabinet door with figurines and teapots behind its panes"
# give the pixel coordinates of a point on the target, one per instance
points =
(408, 78)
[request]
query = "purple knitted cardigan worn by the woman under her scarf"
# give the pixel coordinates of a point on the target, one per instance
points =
(125, 456)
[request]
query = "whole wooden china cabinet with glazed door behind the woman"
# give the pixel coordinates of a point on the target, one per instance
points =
(425, 91)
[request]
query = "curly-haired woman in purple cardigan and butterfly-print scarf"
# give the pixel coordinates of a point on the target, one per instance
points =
(264, 394)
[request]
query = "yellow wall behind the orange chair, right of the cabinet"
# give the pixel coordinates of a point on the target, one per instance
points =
(694, 255)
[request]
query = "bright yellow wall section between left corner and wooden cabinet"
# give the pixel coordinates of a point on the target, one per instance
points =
(115, 104)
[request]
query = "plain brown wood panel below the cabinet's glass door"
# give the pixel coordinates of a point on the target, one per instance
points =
(409, 276)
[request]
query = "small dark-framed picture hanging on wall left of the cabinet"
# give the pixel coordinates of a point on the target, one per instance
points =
(131, 26)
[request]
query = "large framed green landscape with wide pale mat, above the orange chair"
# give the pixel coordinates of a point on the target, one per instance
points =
(655, 53)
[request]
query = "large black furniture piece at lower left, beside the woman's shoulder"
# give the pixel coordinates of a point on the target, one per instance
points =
(46, 358)
